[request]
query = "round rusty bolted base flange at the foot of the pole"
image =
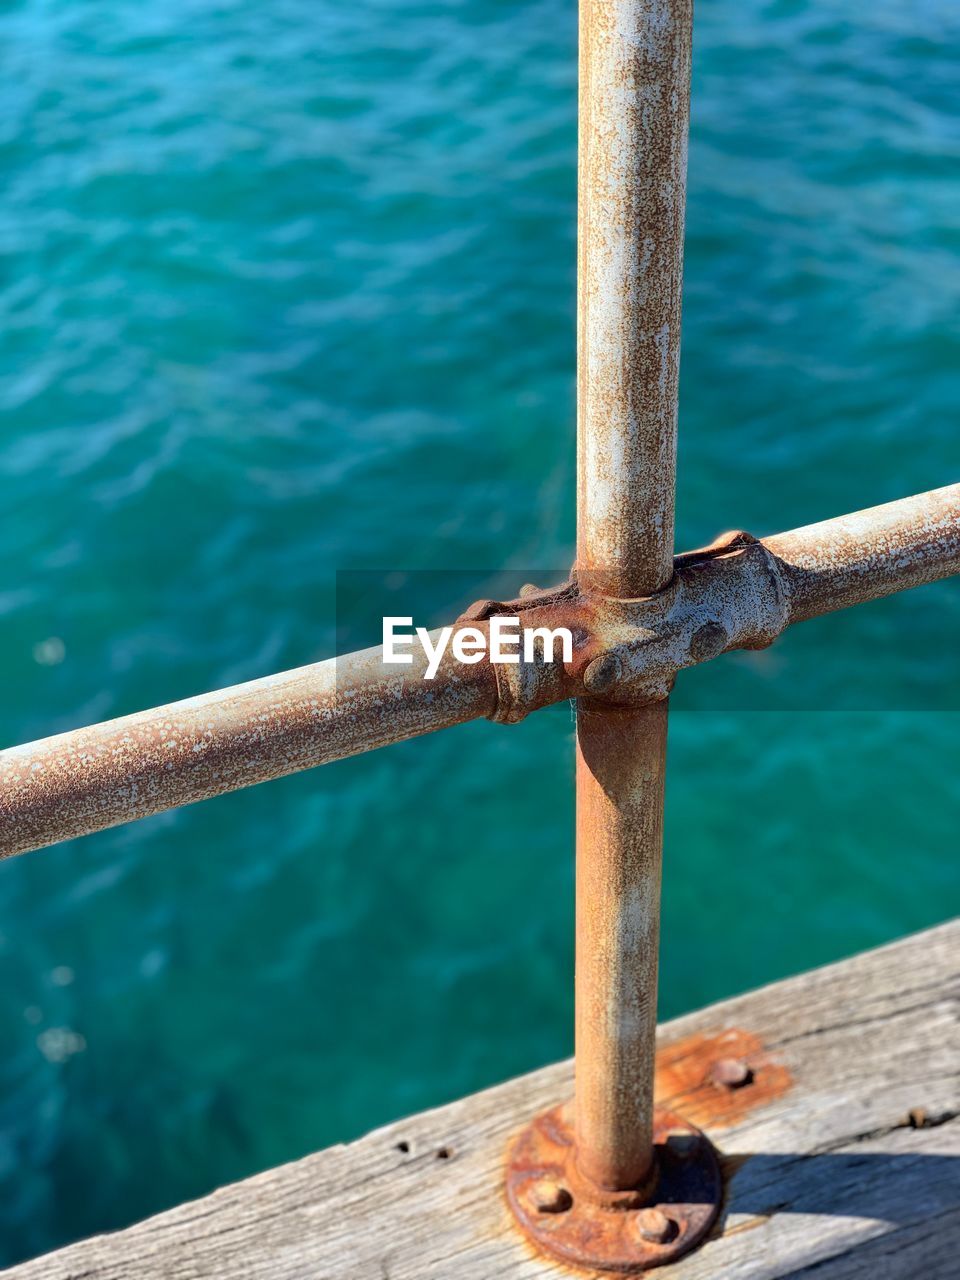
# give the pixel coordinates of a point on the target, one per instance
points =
(623, 1232)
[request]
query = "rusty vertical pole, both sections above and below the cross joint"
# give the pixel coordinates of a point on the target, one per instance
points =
(634, 115)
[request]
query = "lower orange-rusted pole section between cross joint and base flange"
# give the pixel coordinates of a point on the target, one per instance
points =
(620, 839)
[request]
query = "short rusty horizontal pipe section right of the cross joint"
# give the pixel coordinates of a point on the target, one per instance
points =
(870, 554)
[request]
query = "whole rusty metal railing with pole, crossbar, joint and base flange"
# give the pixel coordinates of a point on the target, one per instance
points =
(612, 1183)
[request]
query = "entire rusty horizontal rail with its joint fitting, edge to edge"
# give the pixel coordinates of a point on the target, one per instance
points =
(129, 769)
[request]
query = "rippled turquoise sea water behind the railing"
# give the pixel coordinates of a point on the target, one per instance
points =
(289, 289)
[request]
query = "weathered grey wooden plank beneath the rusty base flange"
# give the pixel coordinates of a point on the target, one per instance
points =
(843, 1156)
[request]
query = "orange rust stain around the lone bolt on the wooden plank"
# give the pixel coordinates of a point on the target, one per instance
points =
(687, 1078)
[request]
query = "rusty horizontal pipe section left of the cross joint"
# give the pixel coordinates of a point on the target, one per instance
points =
(141, 765)
